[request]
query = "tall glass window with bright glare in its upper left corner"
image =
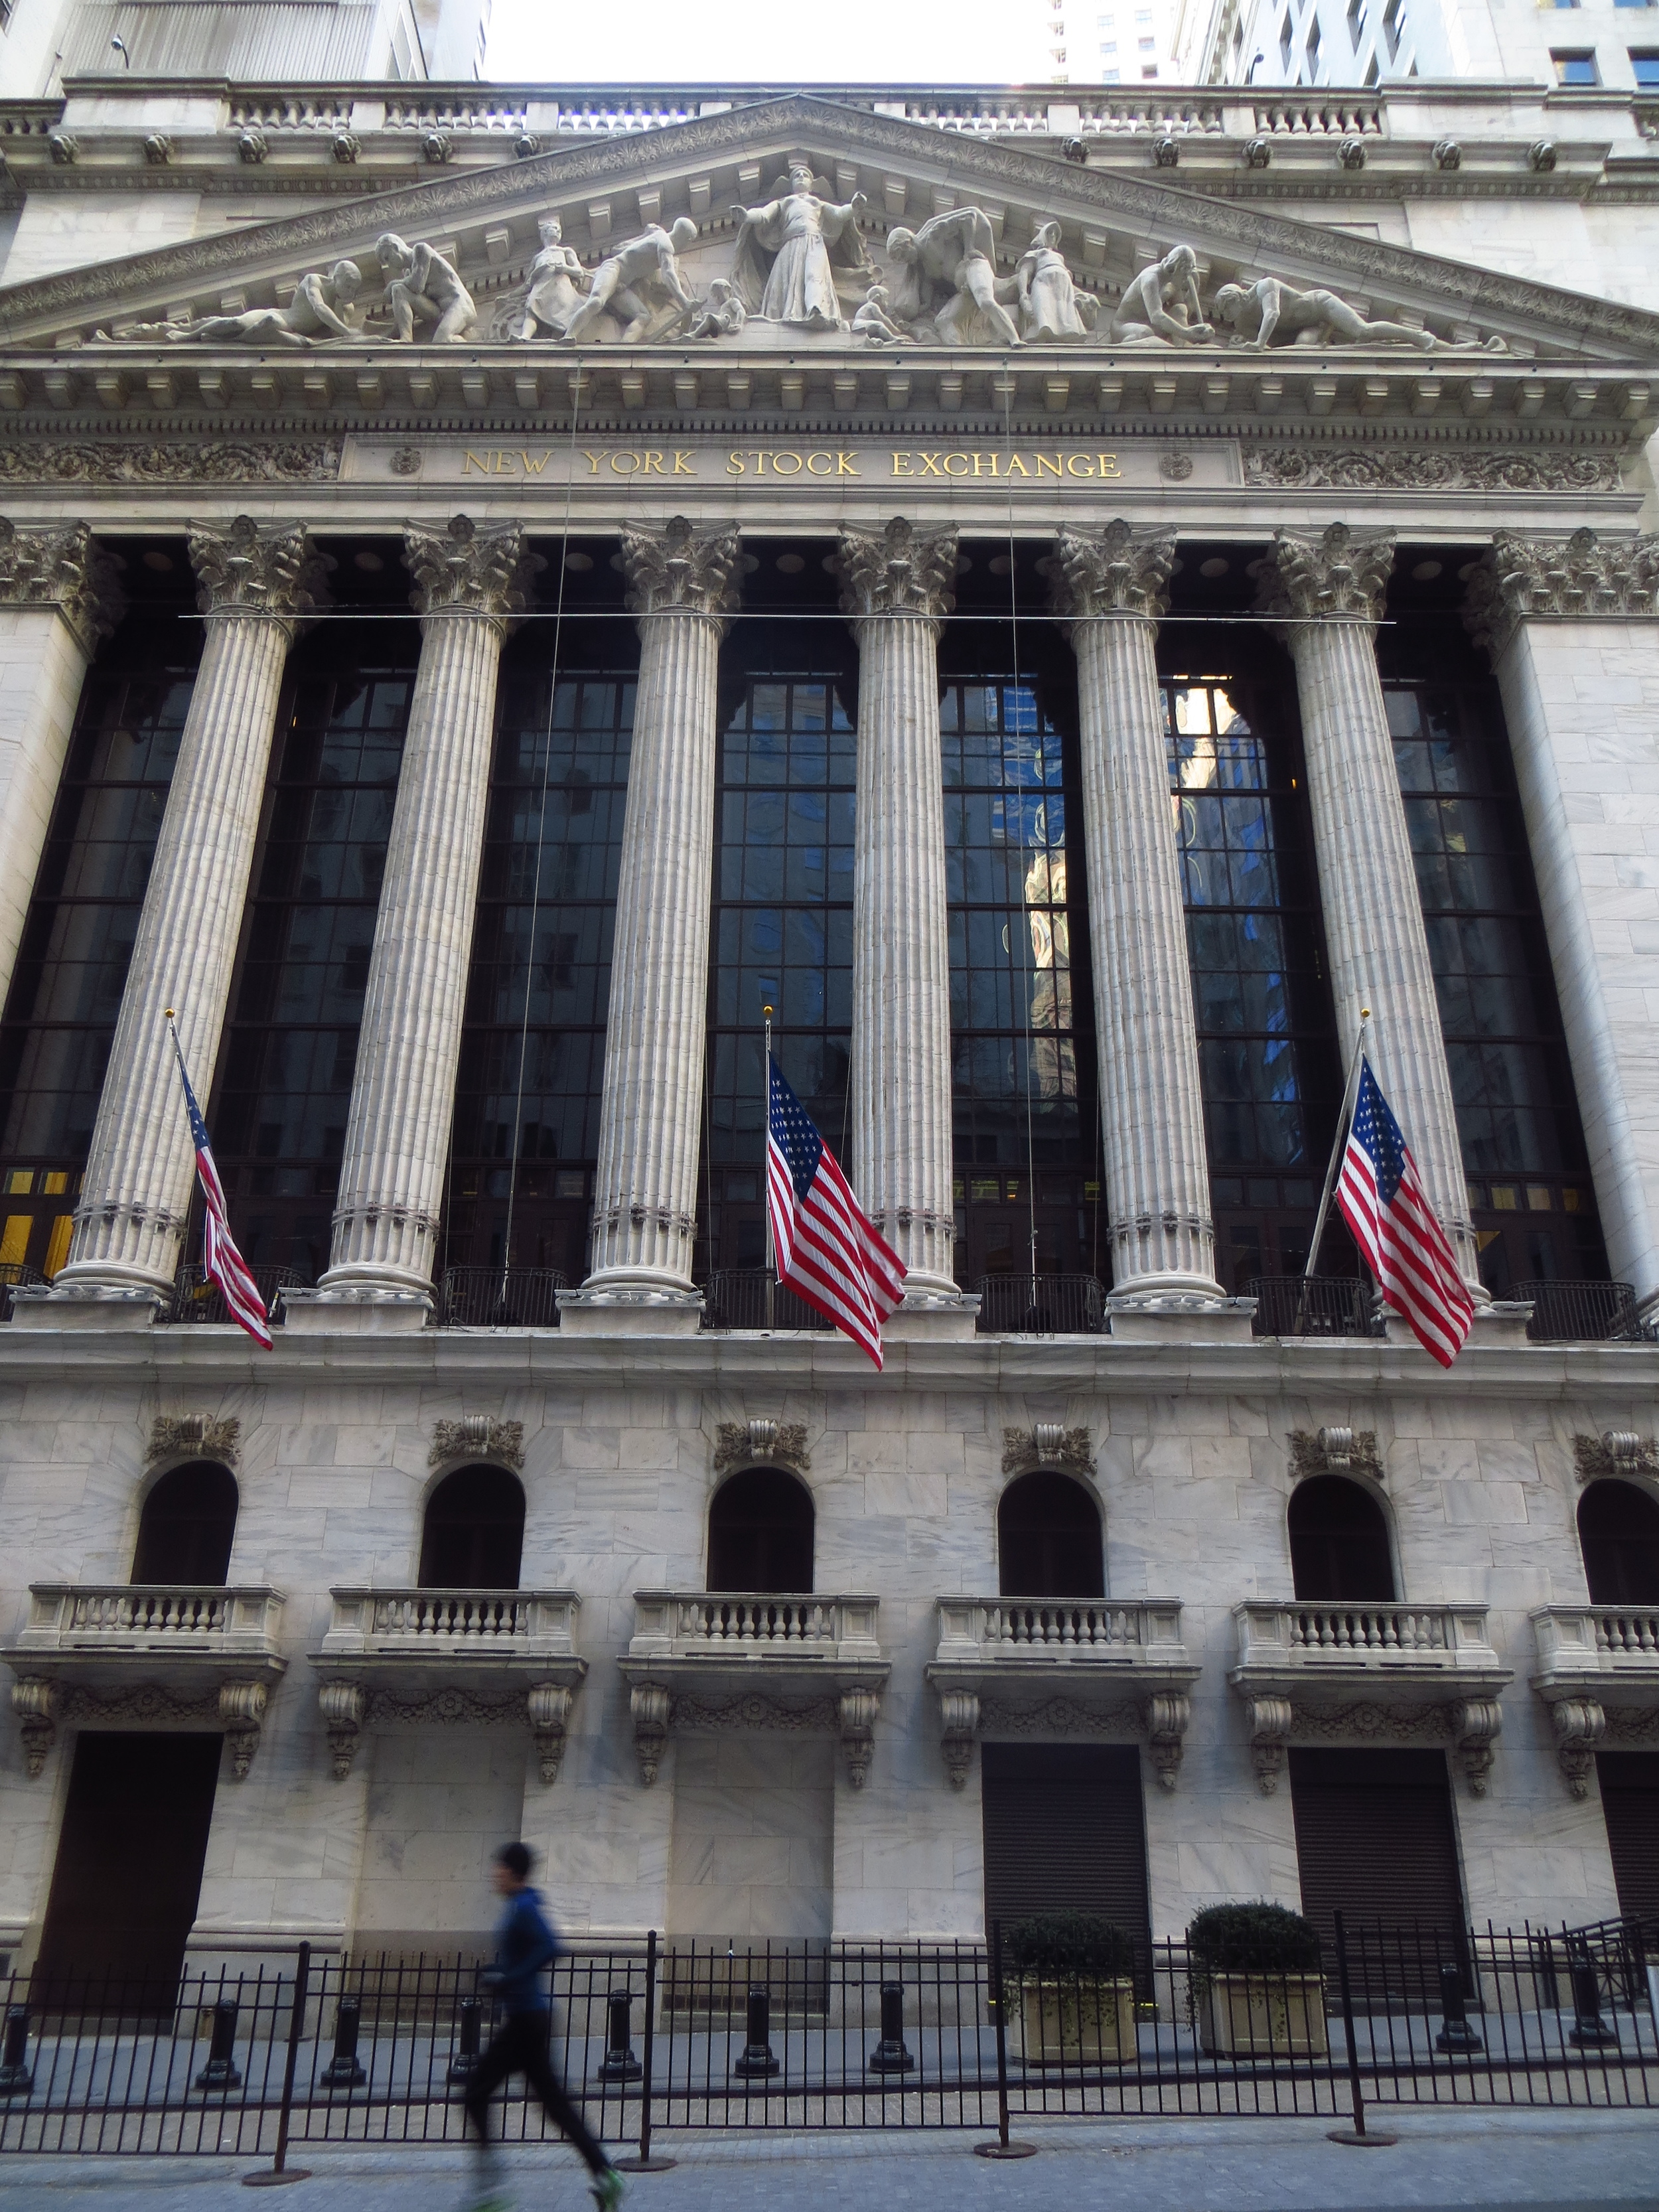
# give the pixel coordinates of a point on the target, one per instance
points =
(1260, 992)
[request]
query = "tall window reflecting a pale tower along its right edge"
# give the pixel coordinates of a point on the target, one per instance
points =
(1025, 1142)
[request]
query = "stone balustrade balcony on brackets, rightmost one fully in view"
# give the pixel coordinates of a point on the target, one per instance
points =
(1392, 1673)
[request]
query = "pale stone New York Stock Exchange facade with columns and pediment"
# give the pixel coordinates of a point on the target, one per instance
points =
(202, 395)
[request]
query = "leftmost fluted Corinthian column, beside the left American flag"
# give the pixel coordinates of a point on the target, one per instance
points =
(255, 585)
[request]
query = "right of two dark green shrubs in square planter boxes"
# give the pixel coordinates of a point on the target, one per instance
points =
(1255, 1979)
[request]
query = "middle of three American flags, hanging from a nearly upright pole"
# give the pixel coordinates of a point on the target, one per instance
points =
(828, 1249)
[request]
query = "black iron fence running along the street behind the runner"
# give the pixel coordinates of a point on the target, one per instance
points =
(667, 2036)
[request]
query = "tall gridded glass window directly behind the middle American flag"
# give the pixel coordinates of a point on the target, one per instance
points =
(782, 935)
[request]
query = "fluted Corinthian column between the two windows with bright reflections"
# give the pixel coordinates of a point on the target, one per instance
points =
(1109, 594)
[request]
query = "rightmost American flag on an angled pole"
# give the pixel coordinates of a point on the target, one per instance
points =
(1397, 1231)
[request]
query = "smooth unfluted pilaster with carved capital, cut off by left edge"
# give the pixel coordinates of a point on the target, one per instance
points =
(59, 598)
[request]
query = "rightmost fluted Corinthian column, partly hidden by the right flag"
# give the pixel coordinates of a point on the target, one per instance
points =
(1333, 592)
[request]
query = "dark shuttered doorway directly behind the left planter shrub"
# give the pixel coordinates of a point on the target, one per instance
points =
(1065, 1830)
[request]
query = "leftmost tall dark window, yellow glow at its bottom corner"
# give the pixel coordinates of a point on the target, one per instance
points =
(79, 935)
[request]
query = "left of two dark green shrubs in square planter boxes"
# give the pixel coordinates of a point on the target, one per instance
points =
(1070, 1981)
